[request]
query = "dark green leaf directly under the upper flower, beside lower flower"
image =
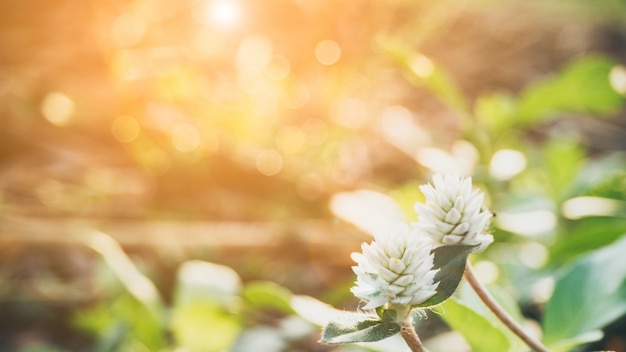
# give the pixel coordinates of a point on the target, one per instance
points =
(451, 261)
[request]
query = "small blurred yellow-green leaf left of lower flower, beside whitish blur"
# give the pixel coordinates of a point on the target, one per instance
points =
(268, 294)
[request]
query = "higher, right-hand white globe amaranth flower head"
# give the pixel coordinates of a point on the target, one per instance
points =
(452, 213)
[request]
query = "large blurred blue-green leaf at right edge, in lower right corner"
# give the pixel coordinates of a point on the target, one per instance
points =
(587, 296)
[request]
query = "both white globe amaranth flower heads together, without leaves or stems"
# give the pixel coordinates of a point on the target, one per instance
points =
(397, 267)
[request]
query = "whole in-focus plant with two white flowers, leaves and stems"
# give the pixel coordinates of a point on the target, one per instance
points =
(411, 267)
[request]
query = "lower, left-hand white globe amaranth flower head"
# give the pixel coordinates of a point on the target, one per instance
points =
(396, 269)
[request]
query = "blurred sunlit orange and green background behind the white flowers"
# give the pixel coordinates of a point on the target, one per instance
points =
(141, 140)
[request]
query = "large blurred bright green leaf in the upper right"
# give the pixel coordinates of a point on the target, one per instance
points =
(582, 87)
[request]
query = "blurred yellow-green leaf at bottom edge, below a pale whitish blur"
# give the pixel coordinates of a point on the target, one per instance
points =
(202, 326)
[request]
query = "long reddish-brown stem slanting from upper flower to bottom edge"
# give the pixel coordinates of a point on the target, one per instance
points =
(490, 302)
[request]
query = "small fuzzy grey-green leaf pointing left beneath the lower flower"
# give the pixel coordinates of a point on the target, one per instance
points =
(356, 327)
